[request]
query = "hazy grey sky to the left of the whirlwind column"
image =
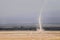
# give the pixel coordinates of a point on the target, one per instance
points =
(19, 11)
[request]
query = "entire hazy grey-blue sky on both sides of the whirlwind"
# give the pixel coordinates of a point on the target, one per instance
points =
(28, 11)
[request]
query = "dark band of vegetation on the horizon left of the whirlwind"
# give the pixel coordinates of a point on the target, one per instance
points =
(20, 28)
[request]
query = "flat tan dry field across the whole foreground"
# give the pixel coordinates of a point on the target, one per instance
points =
(29, 35)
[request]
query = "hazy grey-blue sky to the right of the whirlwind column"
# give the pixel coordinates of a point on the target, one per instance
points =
(51, 12)
